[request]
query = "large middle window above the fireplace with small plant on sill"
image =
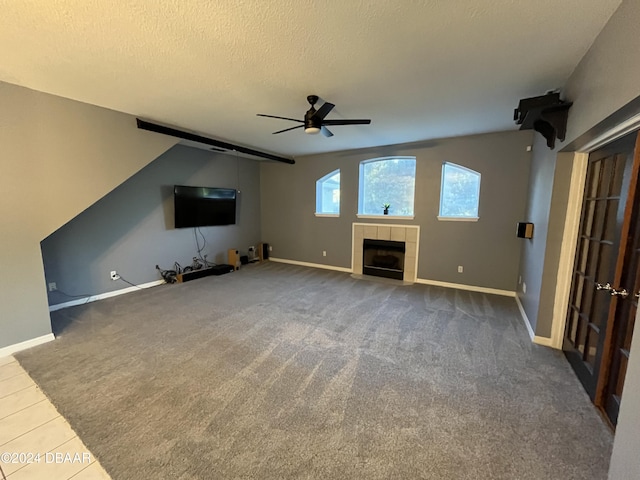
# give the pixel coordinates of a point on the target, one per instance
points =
(387, 181)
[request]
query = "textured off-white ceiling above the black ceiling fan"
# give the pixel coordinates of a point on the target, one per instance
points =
(418, 69)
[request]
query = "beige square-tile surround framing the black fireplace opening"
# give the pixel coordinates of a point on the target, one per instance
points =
(410, 234)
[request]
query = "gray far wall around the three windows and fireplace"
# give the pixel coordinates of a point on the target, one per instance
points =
(488, 249)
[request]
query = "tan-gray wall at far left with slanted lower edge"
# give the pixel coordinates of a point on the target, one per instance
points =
(65, 155)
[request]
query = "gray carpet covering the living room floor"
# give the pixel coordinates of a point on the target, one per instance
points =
(279, 372)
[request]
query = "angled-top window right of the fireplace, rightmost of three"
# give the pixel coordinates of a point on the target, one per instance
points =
(459, 193)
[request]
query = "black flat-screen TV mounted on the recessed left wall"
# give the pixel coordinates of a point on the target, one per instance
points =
(204, 206)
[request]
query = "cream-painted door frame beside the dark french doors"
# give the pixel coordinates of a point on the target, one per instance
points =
(580, 159)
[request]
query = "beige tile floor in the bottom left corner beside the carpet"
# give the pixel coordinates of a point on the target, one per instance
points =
(30, 424)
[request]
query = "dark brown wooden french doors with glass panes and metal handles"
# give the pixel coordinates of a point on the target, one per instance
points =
(603, 301)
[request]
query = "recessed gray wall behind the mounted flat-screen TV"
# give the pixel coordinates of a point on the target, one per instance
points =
(131, 229)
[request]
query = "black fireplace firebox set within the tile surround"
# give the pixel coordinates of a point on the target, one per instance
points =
(383, 258)
